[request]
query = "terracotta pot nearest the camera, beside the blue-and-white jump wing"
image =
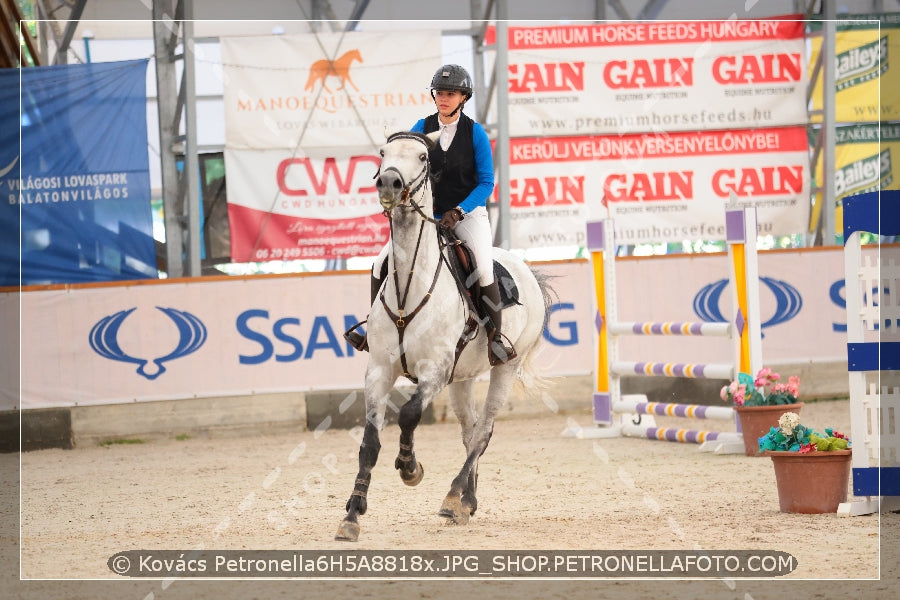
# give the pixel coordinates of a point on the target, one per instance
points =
(814, 482)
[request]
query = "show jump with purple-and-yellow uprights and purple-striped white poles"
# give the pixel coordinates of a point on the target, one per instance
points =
(614, 414)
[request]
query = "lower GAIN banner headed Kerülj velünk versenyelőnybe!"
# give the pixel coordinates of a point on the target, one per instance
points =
(664, 187)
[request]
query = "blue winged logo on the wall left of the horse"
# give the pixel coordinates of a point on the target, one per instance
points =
(104, 340)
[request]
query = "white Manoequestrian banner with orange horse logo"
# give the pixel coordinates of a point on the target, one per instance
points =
(326, 91)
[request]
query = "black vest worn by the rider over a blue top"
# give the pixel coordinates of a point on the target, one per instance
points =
(453, 174)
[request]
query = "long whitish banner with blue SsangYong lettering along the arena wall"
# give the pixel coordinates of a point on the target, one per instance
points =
(237, 336)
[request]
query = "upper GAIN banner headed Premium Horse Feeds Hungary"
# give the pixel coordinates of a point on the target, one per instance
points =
(657, 76)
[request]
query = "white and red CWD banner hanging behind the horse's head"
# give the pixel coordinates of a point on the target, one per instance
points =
(287, 207)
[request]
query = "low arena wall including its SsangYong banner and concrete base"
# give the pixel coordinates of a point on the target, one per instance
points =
(107, 361)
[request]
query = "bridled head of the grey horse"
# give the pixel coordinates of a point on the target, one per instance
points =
(404, 167)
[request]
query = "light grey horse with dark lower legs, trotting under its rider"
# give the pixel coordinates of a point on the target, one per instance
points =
(414, 328)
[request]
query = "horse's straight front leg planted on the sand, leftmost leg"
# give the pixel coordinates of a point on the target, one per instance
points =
(377, 393)
